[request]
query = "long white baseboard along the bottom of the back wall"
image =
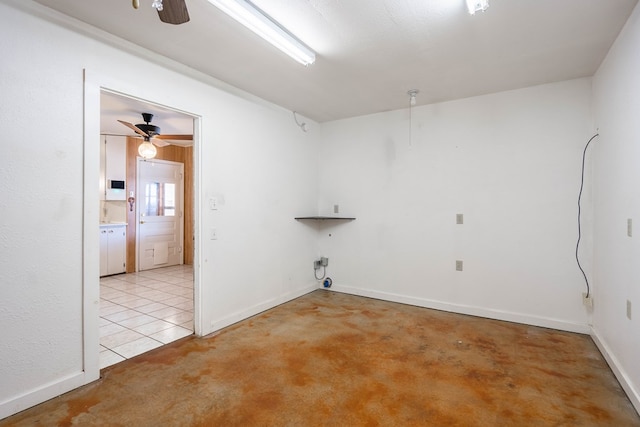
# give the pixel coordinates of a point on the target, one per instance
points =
(545, 322)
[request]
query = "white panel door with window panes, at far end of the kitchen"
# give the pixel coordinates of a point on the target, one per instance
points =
(160, 213)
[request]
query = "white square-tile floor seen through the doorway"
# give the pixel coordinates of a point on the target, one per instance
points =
(142, 311)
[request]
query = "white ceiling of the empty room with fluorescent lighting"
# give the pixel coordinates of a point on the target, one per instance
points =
(371, 52)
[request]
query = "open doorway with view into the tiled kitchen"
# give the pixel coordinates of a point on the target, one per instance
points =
(148, 300)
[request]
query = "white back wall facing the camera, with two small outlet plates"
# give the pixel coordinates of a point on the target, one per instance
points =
(510, 162)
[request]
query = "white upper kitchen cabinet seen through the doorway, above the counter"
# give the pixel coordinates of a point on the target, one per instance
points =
(113, 168)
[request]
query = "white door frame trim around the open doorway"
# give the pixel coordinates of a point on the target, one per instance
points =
(94, 84)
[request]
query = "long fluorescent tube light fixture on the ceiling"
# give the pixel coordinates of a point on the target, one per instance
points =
(260, 23)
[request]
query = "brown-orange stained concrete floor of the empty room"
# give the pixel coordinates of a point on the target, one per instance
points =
(333, 359)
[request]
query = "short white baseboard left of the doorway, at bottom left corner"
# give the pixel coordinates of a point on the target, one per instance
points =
(43, 393)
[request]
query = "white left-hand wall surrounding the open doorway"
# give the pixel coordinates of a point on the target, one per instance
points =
(252, 157)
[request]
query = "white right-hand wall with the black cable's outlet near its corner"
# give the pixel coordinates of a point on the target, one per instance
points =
(617, 198)
